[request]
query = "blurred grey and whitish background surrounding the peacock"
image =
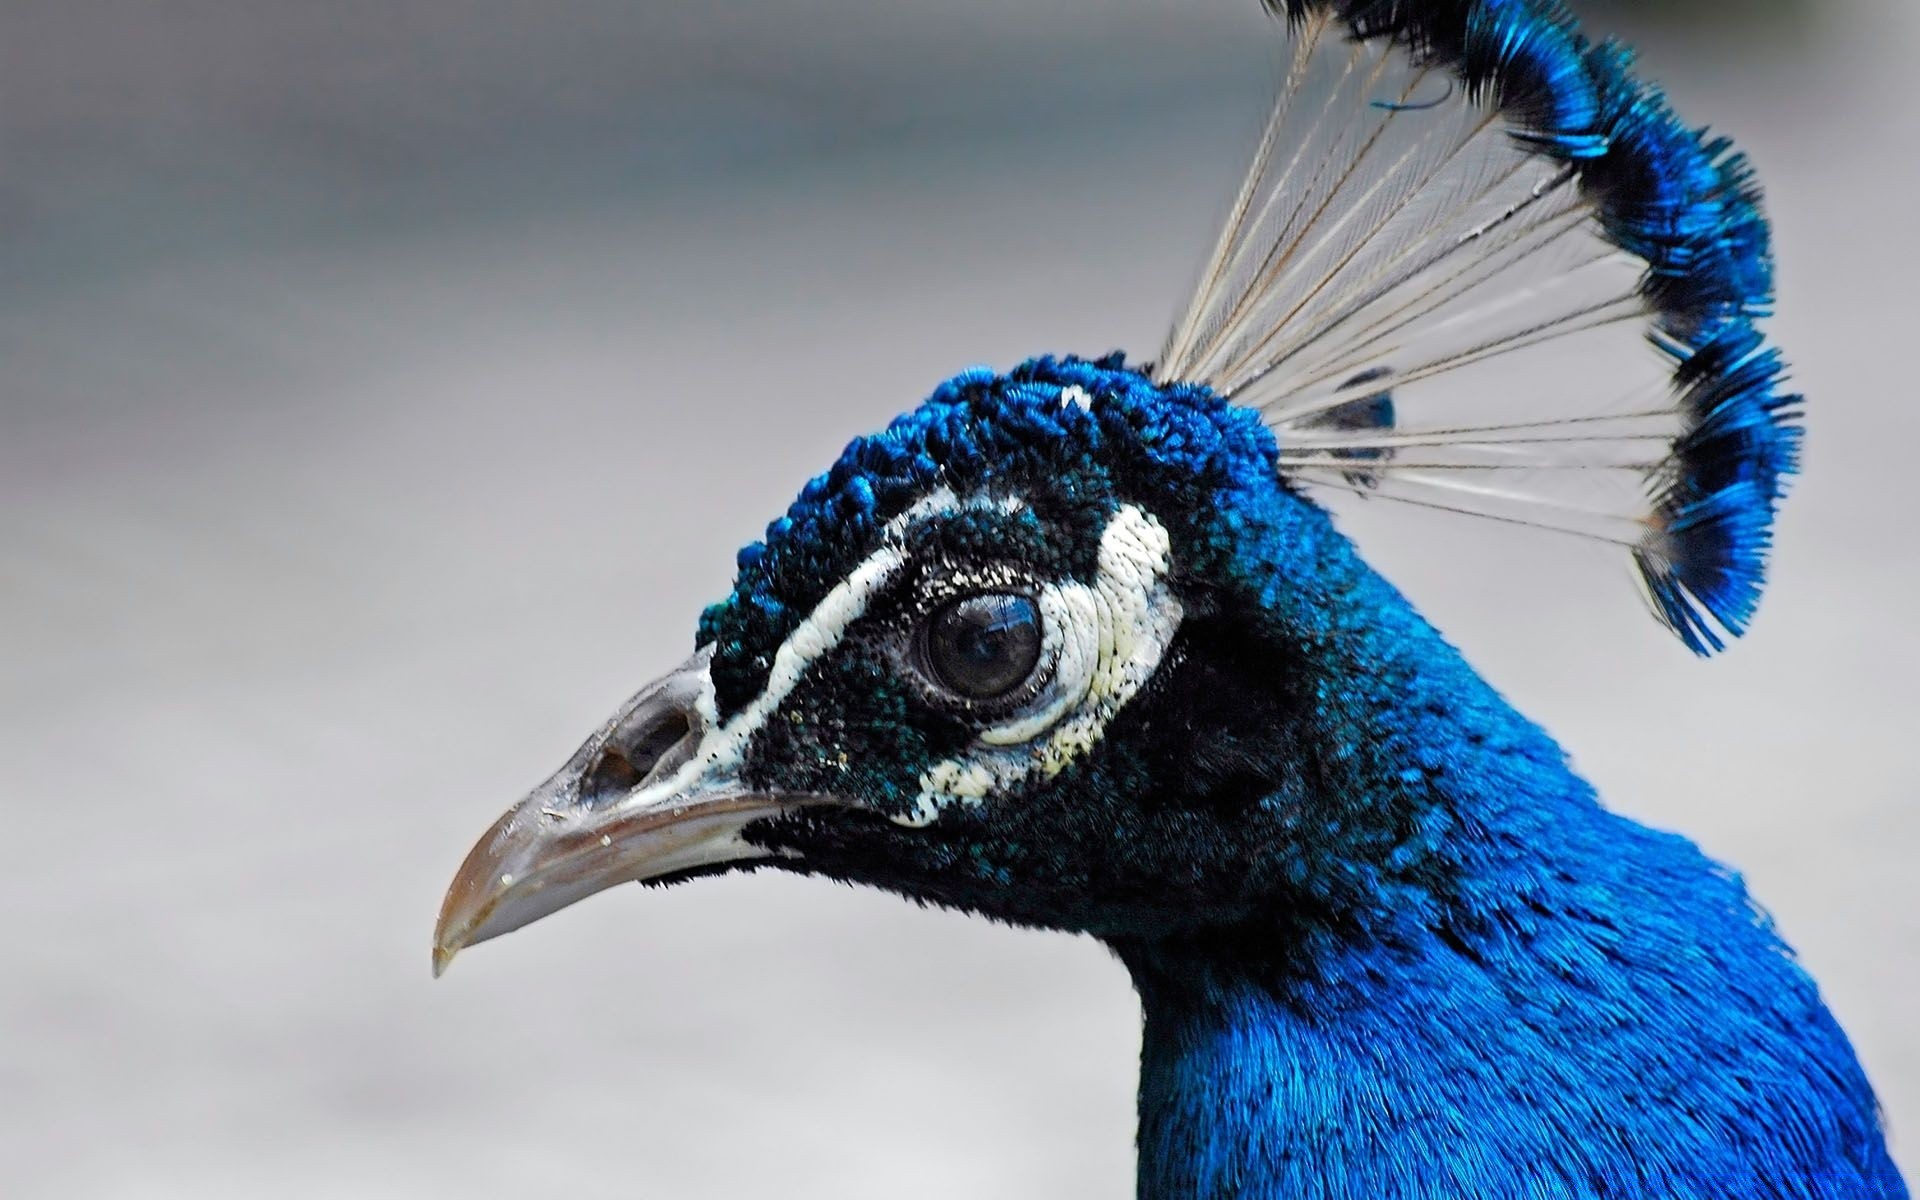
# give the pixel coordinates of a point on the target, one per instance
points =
(387, 385)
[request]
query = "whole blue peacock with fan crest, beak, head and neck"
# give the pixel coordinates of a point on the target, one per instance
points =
(1080, 646)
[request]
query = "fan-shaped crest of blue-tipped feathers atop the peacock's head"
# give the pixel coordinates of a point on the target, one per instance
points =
(1477, 266)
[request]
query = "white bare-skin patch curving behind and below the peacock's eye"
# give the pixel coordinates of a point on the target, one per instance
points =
(1103, 640)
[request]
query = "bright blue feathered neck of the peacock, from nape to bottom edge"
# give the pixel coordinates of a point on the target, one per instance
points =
(1583, 1009)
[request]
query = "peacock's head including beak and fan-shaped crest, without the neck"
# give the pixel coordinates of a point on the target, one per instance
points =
(1072, 646)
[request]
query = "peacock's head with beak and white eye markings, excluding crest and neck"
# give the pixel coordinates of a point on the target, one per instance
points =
(999, 658)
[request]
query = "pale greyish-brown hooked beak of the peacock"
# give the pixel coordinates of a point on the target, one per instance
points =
(654, 792)
